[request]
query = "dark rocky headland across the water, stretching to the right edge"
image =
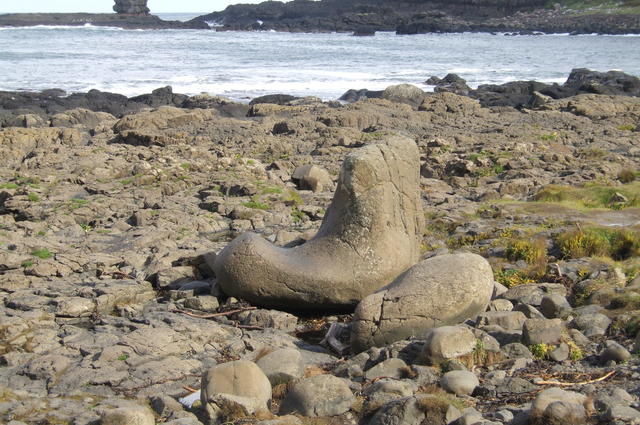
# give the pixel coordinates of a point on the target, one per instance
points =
(413, 17)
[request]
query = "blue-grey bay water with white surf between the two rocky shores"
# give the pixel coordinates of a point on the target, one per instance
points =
(243, 65)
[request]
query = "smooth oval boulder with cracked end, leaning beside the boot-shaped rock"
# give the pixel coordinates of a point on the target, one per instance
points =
(439, 291)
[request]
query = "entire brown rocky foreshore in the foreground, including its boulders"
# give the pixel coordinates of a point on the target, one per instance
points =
(127, 286)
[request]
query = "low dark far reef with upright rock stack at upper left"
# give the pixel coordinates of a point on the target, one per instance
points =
(130, 14)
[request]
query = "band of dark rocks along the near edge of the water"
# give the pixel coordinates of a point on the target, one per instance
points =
(518, 94)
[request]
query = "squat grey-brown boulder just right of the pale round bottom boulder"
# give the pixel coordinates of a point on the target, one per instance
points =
(320, 395)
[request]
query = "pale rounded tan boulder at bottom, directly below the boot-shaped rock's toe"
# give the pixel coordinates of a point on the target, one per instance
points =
(234, 388)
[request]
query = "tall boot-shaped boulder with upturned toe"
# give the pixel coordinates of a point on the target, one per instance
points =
(370, 234)
